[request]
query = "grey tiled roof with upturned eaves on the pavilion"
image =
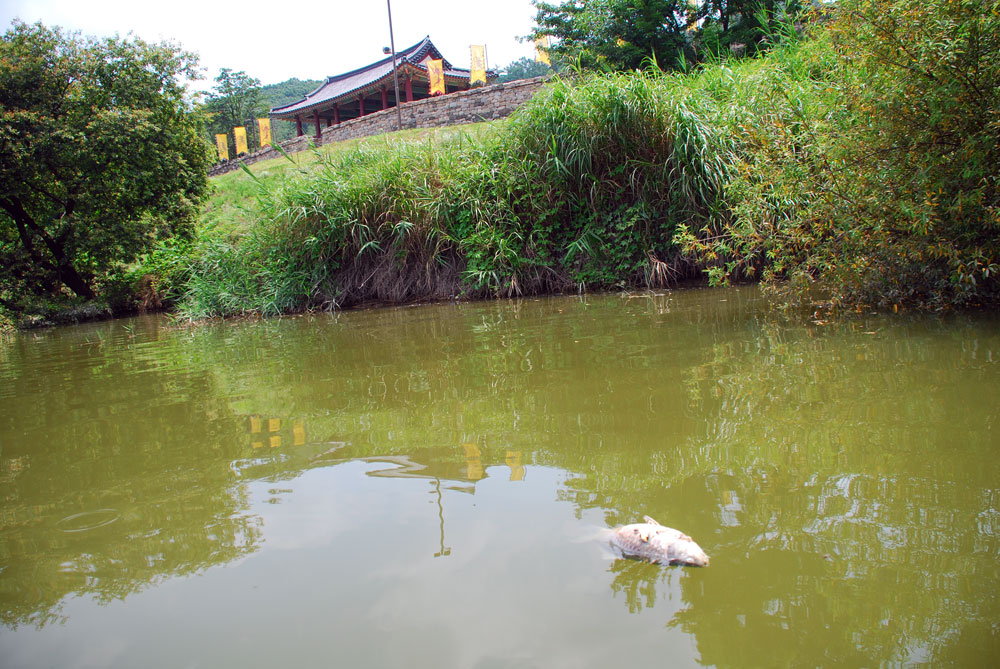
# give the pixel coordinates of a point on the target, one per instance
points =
(345, 85)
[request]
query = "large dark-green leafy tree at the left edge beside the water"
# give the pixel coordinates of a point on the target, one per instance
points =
(100, 156)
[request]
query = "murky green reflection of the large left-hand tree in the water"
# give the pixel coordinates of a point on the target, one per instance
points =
(99, 498)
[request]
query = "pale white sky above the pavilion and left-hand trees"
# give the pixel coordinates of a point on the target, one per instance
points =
(274, 41)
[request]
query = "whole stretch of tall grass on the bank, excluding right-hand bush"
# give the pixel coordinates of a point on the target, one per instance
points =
(584, 187)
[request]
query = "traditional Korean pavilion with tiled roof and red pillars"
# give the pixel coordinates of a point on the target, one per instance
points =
(370, 89)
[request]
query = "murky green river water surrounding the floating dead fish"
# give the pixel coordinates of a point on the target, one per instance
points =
(426, 487)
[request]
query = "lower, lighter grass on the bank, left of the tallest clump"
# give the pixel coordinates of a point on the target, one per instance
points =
(358, 224)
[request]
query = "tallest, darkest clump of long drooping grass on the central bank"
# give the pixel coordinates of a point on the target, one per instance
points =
(587, 184)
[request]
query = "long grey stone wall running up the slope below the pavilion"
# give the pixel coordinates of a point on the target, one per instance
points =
(479, 104)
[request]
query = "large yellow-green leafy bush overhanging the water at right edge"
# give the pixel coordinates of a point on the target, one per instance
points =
(878, 180)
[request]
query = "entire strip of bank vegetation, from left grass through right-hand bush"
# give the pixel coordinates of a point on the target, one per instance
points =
(855, 160)
